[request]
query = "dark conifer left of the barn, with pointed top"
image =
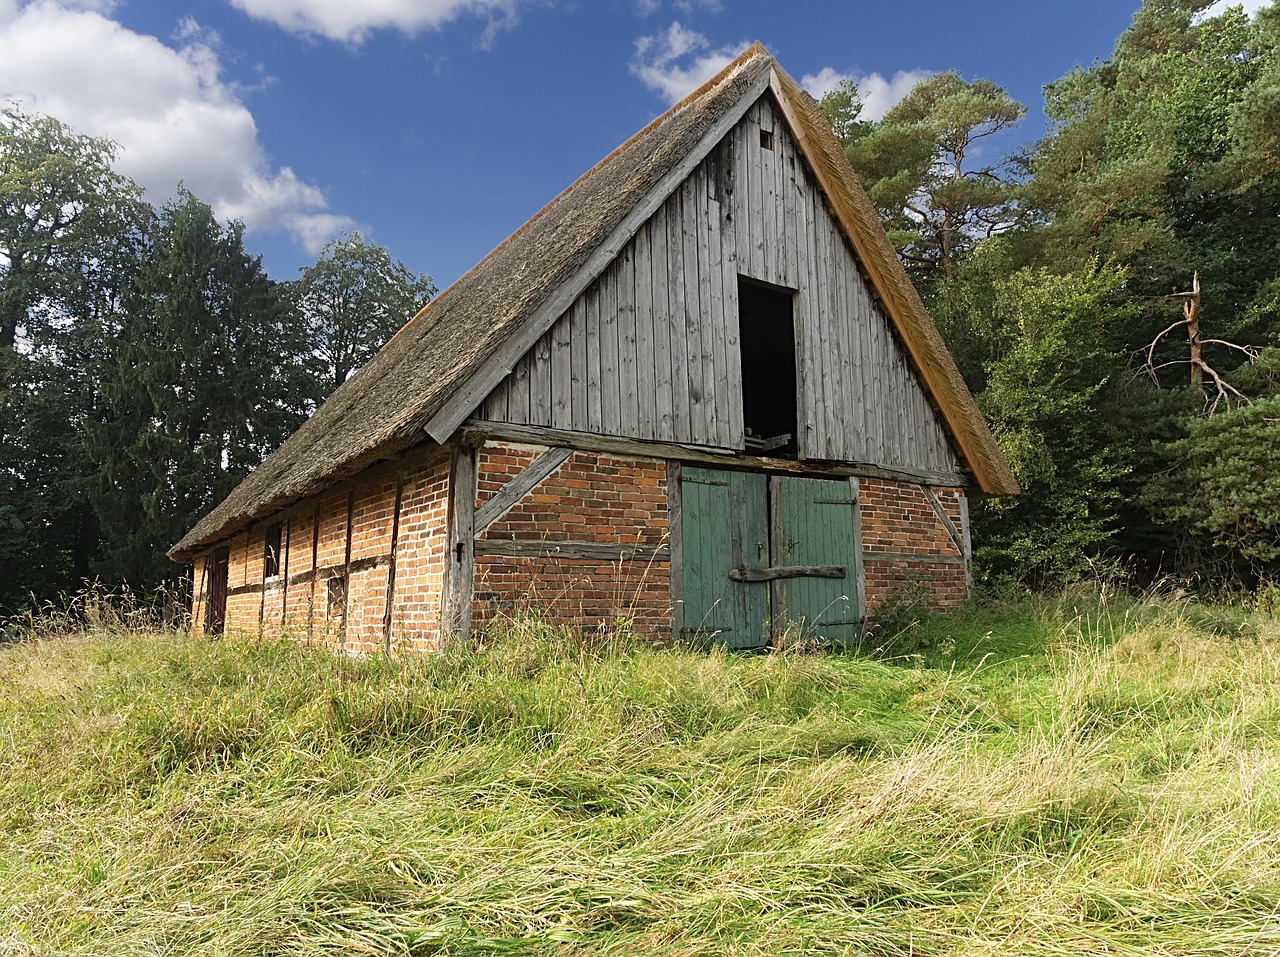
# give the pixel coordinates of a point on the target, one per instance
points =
(207, 378)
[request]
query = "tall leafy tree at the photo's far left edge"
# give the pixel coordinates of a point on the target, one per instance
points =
(70, 233)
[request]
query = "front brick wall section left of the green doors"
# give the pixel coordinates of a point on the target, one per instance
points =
(592, 498)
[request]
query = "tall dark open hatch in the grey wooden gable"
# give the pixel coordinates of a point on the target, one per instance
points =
(769, 344)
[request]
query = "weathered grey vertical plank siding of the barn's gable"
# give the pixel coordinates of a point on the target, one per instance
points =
(651, 350)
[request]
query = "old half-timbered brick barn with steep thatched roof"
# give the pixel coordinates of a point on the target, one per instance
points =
(697, 393)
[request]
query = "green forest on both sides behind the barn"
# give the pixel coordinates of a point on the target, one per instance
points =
(1110, 294)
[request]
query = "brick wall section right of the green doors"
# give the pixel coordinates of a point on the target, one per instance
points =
(907, 550)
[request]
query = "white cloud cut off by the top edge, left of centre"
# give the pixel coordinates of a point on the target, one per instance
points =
(351, 21)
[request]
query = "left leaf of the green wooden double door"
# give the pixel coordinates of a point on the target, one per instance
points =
(725, 526)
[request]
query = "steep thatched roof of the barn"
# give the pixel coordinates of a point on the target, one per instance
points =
(459, 346)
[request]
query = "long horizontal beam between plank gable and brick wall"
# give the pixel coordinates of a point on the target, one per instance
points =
(717, 459)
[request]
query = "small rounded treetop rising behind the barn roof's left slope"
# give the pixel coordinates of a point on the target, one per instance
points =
(354, 300)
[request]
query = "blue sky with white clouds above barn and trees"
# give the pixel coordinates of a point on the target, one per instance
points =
(438, 127)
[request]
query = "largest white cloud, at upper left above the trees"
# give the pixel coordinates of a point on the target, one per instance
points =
(172, 115)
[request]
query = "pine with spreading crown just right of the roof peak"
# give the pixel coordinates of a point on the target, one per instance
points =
(920, 168)
